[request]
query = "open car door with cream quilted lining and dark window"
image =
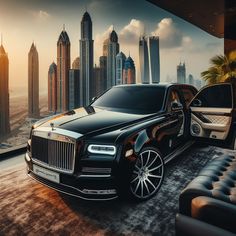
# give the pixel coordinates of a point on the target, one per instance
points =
(212, 114)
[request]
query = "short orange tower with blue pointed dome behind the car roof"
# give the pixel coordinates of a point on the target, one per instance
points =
(129, 75)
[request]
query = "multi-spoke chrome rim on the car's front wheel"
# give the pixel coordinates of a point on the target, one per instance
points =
(147, 174)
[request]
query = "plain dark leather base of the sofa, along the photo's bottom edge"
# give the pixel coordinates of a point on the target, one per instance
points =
(187, 226)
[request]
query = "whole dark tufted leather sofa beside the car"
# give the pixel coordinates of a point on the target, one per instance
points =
(207, 206)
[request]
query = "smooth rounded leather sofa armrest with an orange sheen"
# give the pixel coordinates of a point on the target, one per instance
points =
(215, 212)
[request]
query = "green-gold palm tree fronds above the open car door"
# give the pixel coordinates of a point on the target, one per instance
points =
(223, 69)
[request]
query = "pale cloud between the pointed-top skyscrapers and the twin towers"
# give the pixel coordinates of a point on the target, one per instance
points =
(131, 32)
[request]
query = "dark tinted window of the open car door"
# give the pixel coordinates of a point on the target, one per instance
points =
(214, 96)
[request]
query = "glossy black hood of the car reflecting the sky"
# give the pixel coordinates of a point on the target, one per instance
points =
(90, 119)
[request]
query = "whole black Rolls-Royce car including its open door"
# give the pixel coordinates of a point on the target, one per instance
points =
(122, 141)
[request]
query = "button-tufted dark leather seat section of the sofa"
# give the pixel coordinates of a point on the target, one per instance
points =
(217, 180)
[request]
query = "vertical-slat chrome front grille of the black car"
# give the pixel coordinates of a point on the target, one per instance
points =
(53, 154)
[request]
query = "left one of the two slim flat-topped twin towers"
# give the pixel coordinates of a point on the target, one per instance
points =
(144, 60)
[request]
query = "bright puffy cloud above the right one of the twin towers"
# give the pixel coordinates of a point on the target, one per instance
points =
(170, 36)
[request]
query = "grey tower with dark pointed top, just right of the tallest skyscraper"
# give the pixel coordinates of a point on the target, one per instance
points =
(113, 49)
